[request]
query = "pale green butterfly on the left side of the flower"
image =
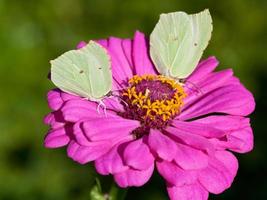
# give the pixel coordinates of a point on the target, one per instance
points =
(84, 72)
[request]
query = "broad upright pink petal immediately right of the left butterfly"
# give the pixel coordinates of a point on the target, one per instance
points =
(120, 67)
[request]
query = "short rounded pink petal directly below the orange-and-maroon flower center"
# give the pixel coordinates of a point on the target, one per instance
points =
(162, 145)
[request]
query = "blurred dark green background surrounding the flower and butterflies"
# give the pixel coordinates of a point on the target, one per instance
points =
(34, 31)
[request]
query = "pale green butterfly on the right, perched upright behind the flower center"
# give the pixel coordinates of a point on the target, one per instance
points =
(178, 41)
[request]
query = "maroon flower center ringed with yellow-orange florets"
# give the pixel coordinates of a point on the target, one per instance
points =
(153, 99)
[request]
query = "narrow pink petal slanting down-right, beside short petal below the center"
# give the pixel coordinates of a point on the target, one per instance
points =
(196, 141)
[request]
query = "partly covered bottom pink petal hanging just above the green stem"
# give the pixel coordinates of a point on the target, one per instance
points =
(133, 177)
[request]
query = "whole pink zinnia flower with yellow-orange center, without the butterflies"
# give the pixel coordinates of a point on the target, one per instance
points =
(186, 131)
